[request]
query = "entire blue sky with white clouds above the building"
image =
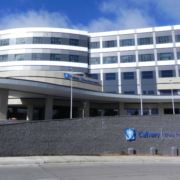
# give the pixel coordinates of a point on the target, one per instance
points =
(90, 15)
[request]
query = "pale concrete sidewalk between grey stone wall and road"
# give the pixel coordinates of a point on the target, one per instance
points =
(80, 159)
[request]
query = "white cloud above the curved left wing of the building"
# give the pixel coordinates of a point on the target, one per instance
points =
(34, 19)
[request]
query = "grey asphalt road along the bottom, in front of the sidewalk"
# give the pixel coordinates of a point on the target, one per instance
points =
(92, 171)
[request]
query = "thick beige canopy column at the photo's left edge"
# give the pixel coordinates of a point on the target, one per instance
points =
(4, 93)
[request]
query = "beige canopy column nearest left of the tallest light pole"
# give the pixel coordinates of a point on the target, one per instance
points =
(49, 107)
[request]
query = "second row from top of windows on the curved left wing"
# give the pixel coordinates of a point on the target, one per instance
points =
(39, 56)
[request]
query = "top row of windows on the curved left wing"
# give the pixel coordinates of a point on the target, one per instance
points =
(42, 40)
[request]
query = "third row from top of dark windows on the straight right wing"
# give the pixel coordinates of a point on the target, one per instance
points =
(132, 75)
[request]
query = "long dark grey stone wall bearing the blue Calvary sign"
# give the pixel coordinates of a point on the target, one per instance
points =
(100, 135)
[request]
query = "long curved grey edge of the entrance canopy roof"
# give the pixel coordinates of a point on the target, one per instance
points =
(62, 91)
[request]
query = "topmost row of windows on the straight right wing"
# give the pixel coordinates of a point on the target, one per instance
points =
(131, 42)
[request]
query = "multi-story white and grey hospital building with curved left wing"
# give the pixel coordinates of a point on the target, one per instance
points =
(111, 72)
